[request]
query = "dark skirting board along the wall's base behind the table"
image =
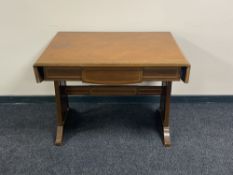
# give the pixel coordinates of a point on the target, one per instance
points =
(119, 99)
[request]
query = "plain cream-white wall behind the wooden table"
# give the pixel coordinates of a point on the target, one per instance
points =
(203, 29)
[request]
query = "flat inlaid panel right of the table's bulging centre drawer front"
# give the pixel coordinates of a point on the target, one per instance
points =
(167, 73)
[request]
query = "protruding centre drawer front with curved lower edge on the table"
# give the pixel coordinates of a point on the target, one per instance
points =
(112, 76)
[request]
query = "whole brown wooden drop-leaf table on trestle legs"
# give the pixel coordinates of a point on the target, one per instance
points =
(112, 61)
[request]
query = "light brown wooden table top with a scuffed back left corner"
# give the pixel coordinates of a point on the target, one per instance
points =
(112, 49)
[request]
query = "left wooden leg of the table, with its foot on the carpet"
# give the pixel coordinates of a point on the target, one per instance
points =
(62, 106)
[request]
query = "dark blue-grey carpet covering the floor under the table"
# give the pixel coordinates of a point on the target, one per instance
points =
(117, 139)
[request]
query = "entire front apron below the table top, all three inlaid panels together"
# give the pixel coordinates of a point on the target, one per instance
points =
(112, 75)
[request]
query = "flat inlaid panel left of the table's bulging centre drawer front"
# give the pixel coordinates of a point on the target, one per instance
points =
(53, 73)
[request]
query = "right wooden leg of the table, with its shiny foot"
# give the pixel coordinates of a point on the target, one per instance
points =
(165, 110)
